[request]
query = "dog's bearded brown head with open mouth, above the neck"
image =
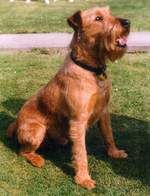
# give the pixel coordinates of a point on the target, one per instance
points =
(101, 31)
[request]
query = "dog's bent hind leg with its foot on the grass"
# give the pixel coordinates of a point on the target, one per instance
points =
(30, 136)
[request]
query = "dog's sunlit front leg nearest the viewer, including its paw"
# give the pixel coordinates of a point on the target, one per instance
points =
(77, 136)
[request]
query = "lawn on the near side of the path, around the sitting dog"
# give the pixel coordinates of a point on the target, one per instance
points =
(21, 74)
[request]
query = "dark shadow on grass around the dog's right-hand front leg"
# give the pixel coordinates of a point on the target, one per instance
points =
(133, 136)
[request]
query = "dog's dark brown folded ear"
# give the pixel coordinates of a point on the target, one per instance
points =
(75, 21)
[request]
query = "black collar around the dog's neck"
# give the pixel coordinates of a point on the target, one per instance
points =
(96, 70)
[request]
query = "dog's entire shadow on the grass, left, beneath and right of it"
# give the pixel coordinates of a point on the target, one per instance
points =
(130, 134)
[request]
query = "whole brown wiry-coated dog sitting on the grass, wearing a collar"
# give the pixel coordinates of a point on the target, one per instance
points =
(78, 95)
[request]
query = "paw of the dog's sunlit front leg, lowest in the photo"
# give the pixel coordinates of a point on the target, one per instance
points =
(87, 183)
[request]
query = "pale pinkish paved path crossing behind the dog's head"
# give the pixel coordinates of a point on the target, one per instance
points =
(138, 41)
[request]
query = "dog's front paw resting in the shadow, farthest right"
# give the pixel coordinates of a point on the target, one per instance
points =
(117, 154)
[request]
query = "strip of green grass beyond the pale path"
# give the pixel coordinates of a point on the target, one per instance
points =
(19, 17)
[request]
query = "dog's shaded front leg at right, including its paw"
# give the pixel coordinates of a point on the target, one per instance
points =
(107, 134)
